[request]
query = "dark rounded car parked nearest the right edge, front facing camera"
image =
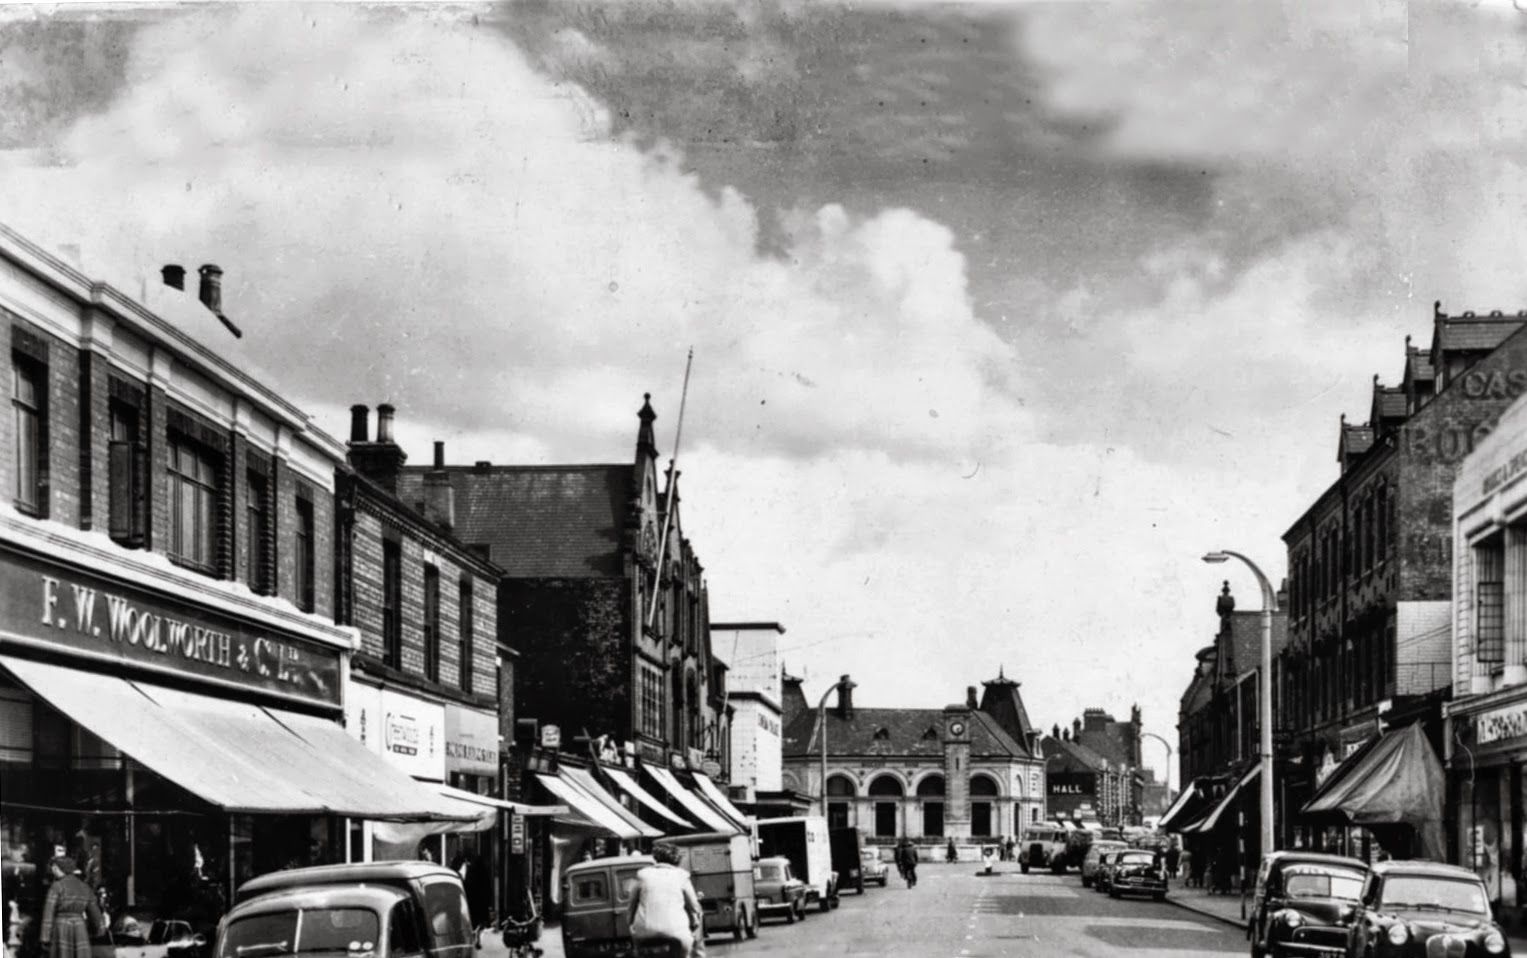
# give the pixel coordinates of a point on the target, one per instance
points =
(1422, 910)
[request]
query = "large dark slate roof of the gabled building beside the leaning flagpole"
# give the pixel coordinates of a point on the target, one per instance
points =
(540, 522)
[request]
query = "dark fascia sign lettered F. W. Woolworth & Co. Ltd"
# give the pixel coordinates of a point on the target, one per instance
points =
(76, 610)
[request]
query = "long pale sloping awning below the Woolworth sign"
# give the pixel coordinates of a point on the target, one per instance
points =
(236, 756)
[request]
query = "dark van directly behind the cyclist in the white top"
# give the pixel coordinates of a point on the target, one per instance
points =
(596, 905)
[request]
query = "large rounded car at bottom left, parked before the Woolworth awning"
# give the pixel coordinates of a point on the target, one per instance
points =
(390, 908)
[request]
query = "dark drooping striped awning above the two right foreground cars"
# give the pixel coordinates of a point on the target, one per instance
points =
(1395, 780)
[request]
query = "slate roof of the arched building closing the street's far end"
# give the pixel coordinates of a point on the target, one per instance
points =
(896, 733)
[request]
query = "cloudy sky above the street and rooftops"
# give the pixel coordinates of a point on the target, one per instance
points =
(1001, 314)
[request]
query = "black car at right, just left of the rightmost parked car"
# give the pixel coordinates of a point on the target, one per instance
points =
(1305, 904)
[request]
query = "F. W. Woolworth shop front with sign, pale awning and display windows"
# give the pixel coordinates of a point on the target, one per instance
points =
(170, 736)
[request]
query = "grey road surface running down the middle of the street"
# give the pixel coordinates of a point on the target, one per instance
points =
(957, 913)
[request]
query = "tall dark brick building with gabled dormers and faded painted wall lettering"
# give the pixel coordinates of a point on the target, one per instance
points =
(1370, 562)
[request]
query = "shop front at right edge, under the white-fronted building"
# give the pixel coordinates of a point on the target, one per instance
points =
(1485, 771)
